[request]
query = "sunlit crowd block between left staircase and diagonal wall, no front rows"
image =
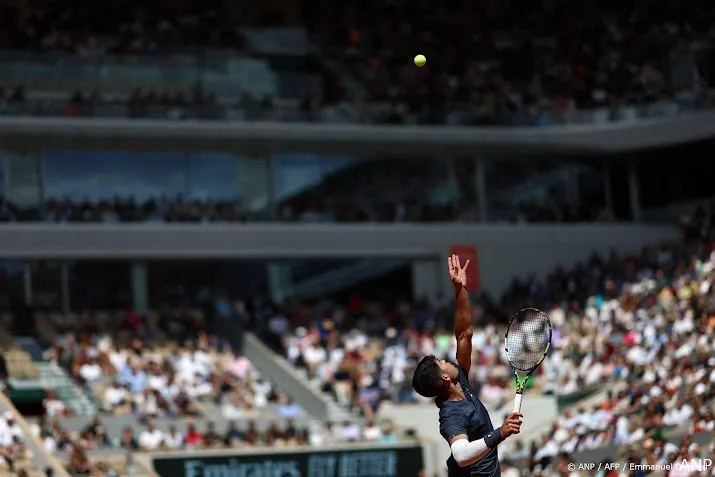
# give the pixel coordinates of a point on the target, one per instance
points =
(150, 380)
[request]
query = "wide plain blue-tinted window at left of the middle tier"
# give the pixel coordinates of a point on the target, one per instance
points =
(104, 175)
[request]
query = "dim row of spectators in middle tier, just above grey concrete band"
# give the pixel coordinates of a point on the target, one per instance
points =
(328, 202)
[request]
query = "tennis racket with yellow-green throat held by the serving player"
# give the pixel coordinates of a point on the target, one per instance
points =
(527, 342)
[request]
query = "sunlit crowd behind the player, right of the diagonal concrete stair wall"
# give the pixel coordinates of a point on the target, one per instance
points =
(647, 321)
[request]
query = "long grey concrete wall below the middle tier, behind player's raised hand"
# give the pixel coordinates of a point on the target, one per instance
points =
(504, 250)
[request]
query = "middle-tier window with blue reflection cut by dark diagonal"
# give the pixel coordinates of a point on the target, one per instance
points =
(352, 189)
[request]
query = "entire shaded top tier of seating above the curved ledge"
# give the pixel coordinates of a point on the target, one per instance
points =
(486, 65)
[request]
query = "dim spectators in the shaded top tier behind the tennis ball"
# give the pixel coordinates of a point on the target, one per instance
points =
(513, 70)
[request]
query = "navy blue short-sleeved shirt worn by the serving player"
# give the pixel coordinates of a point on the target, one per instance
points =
(468, 416)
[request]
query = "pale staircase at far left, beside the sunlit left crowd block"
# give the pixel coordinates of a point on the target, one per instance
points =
(54, 377)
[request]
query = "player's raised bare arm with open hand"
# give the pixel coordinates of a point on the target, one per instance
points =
(463, 314)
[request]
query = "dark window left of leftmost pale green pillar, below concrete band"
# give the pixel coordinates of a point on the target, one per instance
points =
(100, 285)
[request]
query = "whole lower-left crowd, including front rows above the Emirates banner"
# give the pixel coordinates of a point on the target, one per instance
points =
(163, 366)
